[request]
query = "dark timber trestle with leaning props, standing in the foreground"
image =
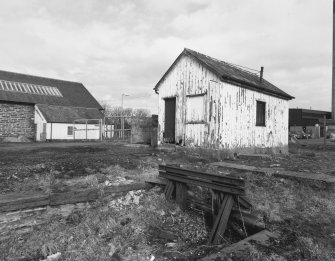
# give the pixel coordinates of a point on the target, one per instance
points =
(228, 200)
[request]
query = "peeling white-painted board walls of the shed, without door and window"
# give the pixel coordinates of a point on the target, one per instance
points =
(226, 114)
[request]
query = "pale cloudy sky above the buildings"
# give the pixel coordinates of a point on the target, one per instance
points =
(117, 47)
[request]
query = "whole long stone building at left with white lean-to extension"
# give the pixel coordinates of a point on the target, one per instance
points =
(41, 109)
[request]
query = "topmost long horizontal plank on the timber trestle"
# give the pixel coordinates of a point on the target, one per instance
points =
(213, 177)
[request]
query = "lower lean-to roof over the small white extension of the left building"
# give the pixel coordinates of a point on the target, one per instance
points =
(64, 114)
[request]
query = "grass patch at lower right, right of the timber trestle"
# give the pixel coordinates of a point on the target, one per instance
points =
(304, 216)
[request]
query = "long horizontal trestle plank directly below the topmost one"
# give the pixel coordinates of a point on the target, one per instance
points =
(203, 183)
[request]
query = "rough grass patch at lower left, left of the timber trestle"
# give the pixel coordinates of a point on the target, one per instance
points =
(127, 227)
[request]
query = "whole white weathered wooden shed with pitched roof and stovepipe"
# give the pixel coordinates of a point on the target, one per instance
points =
(209, 103)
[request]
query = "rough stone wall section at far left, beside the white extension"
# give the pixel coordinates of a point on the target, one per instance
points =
(16, 120)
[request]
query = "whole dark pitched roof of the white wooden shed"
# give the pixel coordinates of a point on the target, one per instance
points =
(232, 74)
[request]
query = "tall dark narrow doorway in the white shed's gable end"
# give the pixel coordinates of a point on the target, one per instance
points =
(170, 120)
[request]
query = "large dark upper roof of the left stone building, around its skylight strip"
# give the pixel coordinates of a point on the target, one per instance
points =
(74, 93)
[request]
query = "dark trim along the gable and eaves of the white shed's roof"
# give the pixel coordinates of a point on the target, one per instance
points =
(227, 79)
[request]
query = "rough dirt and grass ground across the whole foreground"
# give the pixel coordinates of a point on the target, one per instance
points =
(303, 216)
